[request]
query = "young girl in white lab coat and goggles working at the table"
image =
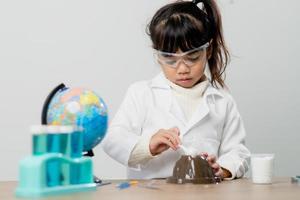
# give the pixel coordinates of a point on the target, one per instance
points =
(183, 105)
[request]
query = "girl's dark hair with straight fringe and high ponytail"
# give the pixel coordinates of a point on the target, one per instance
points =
(183, 25)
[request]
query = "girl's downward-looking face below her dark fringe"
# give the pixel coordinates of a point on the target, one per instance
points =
(184, 73)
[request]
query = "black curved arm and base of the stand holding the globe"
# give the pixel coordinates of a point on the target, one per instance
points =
(89, 153)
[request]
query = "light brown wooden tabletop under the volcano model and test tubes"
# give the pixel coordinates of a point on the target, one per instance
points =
(240, 189)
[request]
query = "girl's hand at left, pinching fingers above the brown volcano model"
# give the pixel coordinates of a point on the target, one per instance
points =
(163, 140)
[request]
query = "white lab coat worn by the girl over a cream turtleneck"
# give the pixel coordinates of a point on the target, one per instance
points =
(216, 127)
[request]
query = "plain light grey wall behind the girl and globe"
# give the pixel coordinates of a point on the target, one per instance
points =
(102, 45)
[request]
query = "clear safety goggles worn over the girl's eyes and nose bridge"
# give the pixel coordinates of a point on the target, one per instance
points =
(189, 58)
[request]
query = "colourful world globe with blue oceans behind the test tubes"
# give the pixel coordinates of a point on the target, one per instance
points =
(83, 108)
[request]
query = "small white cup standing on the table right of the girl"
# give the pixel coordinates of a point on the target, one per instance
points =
(262, 168)
